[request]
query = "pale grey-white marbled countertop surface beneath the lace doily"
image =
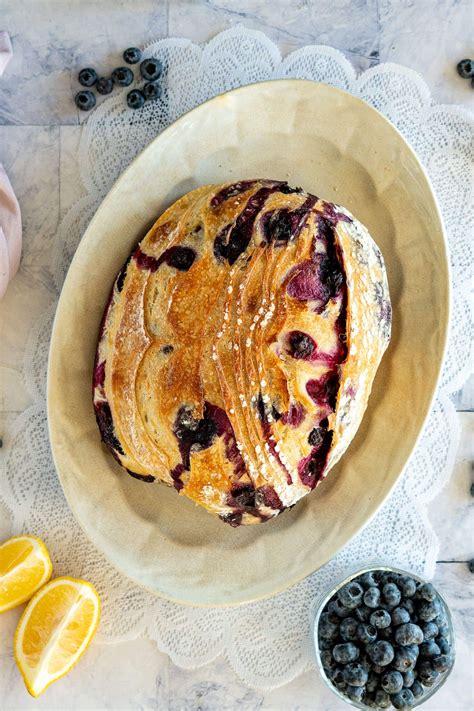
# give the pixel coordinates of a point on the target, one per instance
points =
(39, 133)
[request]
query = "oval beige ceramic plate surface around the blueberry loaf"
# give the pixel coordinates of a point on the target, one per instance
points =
(336, 147)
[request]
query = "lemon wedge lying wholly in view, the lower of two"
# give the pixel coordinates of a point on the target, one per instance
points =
(55, 630)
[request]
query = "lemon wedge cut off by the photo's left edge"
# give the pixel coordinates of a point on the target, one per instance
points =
(25, 566)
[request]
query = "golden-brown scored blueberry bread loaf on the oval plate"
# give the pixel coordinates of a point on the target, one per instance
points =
(239, 345)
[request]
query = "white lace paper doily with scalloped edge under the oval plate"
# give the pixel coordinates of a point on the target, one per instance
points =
(267, 643)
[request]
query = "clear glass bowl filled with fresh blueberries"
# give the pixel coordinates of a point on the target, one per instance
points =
(384, 639)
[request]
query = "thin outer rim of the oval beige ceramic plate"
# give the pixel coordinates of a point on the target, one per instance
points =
(308, 570)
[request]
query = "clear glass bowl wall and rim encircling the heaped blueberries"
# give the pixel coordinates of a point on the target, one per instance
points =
(325, 599)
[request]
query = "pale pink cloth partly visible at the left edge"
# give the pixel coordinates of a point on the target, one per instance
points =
(10, 216)
